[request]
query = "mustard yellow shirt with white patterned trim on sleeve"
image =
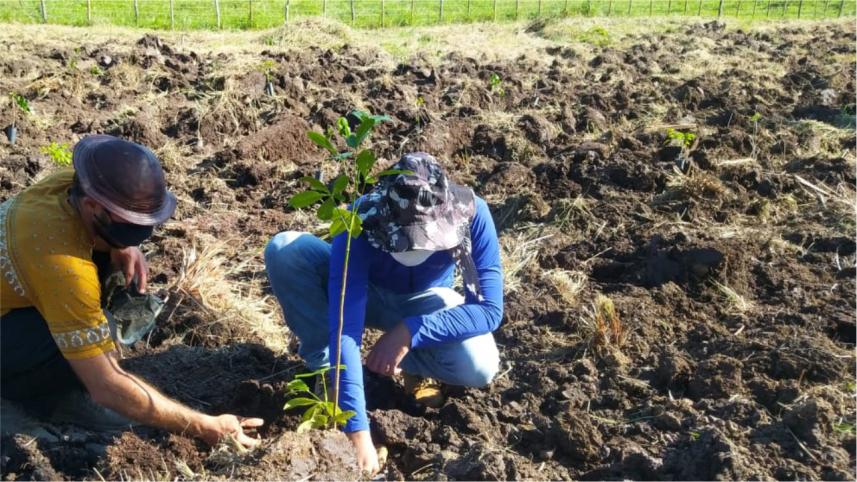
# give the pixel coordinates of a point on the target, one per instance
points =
(46, 263)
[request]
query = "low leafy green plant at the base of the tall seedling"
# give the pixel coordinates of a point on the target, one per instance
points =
(320, 412)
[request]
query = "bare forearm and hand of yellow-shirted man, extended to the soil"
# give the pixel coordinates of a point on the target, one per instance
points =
(122, 392)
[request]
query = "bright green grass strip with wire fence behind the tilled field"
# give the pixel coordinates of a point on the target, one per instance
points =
(259, 14)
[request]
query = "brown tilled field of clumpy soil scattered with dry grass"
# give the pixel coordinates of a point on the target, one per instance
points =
(729, 255)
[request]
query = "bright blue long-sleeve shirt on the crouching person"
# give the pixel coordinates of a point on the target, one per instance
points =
(371, 265)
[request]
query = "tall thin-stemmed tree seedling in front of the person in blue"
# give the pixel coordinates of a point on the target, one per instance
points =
(357, 164)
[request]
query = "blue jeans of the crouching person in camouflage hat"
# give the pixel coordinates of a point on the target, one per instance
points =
(298, 266)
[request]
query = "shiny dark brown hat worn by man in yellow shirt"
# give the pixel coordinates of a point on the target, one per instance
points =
(124, 177)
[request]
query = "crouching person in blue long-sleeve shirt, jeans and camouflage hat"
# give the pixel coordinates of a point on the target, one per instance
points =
(417, 229)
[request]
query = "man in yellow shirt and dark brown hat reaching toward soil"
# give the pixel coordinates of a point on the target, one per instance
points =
(57, 355)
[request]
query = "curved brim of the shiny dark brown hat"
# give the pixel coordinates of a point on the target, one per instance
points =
(85, 149)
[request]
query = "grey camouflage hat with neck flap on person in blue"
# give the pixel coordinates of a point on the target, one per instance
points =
(422, 211)
